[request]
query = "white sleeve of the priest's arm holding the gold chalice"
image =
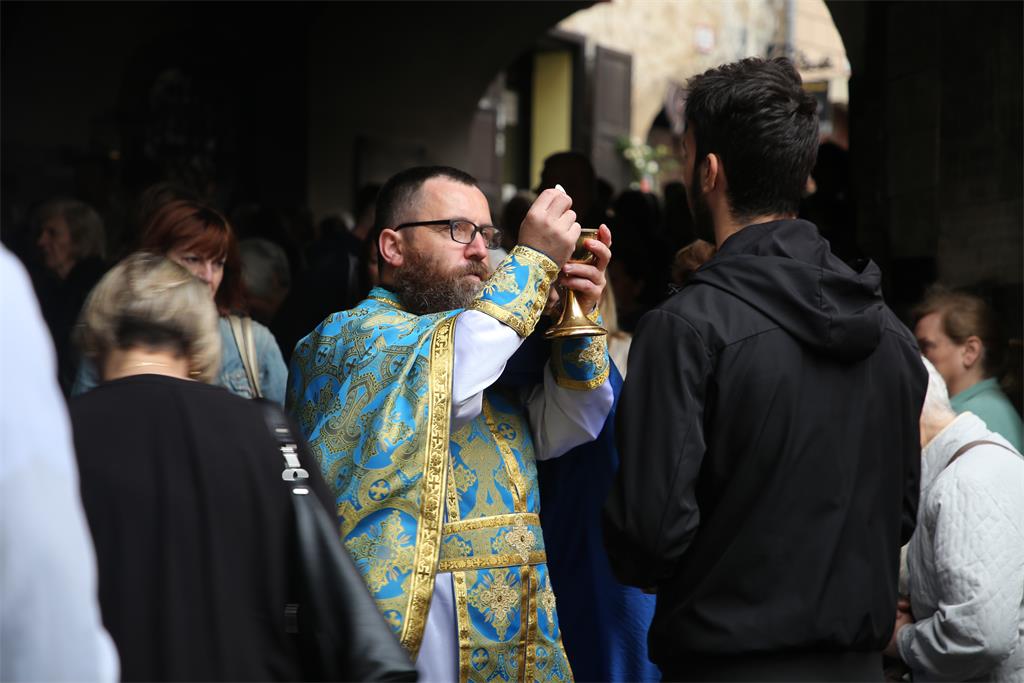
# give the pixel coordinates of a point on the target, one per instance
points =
(562, 419)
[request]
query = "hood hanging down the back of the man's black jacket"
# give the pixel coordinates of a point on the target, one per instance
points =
(788, 272)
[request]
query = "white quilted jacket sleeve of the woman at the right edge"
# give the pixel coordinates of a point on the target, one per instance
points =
(978, 573)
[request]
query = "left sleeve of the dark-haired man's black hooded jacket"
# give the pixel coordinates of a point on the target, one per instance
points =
(652, 516)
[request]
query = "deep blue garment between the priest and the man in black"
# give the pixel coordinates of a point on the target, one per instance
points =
(605, 624)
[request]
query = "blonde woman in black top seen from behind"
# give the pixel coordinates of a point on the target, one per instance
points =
(182, 488)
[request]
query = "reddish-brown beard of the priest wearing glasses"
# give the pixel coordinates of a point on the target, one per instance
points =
(424, 287)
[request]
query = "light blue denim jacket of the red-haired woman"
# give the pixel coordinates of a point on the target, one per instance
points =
(273, 372)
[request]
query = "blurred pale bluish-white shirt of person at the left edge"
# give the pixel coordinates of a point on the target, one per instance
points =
(51, 627)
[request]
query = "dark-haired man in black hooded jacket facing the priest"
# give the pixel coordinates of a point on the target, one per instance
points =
(769, 430)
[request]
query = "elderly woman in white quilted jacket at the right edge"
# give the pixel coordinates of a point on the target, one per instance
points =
(966, 559)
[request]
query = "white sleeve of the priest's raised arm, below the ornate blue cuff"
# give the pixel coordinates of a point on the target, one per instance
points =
(483, 347)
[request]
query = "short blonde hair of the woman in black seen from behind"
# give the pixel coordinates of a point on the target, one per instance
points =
(149, 301)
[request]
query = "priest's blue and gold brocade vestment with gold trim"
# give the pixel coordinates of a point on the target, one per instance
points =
(371, 390)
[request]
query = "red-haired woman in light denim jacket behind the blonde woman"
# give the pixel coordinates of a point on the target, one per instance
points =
(202, 240)
